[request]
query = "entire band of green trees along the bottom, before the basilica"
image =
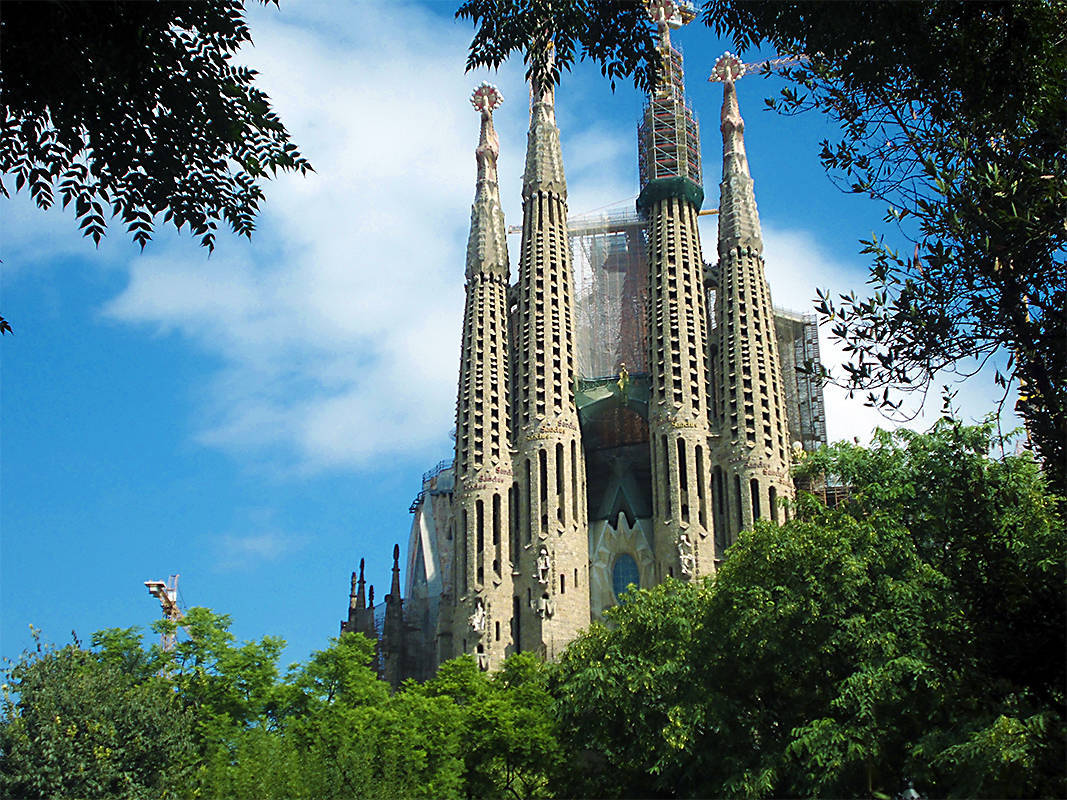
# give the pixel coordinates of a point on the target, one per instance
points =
(915, 633)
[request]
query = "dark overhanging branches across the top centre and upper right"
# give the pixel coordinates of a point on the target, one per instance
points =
(952, 114)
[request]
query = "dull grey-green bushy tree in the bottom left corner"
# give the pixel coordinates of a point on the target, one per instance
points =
(74, 725)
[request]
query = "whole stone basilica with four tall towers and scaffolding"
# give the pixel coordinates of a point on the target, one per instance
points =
(625, 408)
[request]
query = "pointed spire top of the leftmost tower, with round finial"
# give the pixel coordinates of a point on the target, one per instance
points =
(488, 245)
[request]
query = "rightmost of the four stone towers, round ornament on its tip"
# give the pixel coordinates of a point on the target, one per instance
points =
(751, 402)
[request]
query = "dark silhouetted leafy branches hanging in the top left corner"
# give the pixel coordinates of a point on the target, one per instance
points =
(136, 109)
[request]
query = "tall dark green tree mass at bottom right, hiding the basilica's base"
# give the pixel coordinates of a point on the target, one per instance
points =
(916, 633)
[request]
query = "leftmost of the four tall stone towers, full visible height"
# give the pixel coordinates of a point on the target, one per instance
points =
(477, 594)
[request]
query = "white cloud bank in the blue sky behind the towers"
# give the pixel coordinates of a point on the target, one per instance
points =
(337, 332)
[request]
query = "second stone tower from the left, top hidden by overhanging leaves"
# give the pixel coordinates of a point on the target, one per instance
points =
(551, 538)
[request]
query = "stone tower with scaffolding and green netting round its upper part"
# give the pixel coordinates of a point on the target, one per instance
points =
(679, 424)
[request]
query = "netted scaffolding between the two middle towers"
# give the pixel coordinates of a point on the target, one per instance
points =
(611, 261)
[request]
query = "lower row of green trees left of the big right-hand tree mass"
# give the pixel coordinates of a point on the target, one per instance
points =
(217, 718)
